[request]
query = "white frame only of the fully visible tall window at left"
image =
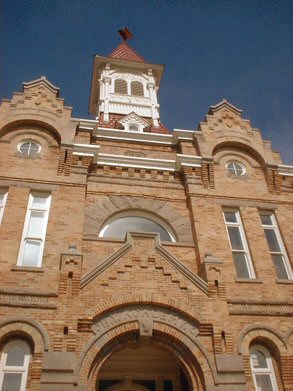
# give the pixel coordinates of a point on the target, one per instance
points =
(42, 236)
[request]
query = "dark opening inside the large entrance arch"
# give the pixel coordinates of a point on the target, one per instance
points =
(142, 367)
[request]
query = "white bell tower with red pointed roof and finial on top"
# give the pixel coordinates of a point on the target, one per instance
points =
(124, 90)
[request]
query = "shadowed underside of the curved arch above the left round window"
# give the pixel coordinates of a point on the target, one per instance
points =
(26, 122)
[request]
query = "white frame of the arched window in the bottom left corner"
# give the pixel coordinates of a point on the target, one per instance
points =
(23, 370)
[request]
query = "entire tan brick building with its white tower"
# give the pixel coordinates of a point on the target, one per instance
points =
(134, 258)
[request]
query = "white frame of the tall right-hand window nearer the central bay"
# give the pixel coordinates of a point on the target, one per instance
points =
(245, 250)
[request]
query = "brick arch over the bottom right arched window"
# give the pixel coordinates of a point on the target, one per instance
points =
(261, 333)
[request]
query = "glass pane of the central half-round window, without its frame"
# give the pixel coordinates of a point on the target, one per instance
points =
(119, 227)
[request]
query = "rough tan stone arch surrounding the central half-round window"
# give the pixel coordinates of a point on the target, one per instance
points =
(97, 214)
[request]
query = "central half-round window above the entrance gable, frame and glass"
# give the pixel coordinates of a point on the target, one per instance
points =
(136, 221)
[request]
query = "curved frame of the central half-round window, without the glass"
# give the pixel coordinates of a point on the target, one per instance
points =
(138, 213)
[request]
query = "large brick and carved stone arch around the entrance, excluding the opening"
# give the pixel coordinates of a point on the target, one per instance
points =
(116, 329)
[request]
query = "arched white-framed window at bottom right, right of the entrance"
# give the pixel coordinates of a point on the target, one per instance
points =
(262, 369)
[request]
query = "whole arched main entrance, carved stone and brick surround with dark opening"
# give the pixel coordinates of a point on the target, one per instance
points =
(148, 346)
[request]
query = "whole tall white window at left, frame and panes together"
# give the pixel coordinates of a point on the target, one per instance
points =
(34, 232)
